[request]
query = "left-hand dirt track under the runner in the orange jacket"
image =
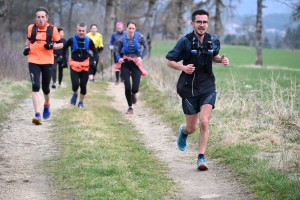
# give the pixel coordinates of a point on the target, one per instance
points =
(23, 147)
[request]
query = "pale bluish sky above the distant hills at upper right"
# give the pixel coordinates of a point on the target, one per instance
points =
(249, 7)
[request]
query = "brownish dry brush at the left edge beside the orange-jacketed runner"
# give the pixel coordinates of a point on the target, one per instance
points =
(13, 65)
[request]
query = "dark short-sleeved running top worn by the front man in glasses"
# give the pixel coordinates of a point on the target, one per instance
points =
(202, 80)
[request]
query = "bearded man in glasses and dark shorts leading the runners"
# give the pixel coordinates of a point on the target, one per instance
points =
(196, 84)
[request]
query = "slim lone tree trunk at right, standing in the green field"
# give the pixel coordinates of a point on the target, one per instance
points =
(258, 33)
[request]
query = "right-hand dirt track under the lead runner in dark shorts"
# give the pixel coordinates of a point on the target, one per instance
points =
(216, 183)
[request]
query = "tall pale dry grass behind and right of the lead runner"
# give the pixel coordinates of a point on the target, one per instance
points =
(267, 116)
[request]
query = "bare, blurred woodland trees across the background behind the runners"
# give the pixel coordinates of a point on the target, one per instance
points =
(163, 19)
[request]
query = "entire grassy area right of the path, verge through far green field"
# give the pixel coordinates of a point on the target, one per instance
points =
(255, 127)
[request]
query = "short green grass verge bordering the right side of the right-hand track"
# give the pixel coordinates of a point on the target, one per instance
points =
(240, 156)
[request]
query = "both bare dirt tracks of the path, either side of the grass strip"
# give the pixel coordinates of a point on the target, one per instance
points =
(24, 146)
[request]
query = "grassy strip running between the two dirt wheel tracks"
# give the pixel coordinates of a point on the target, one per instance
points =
(102, 156)
